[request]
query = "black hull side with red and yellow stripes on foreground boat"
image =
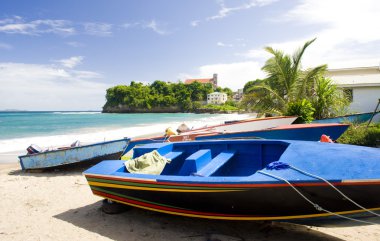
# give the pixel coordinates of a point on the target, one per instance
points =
(248, 201)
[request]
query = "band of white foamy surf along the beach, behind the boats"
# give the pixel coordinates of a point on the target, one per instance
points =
(13, 147)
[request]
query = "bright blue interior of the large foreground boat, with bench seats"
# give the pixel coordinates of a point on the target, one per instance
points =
(215, 159)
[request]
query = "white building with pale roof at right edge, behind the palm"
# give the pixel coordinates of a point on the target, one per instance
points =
(362, 84)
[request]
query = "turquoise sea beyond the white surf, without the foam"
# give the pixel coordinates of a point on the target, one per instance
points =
(25, 124)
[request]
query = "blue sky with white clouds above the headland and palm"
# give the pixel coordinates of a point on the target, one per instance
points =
(63, 55)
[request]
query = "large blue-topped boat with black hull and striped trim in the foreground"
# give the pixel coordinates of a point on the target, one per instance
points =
(247, 180)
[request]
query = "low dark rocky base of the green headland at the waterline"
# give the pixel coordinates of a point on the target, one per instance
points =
(126, 109)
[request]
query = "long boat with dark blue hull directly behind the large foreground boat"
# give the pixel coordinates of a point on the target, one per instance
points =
(303, 132)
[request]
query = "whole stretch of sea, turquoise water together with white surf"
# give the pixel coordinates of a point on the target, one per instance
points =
(18, 130)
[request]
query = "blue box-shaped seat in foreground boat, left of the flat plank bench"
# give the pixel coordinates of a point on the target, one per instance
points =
(195, 162)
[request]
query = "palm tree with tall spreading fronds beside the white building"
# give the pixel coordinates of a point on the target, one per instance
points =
(286, 81)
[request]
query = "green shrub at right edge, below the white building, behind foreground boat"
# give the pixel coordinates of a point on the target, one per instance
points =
(361, 135)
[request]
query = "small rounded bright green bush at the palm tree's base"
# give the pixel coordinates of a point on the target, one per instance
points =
(301, 108)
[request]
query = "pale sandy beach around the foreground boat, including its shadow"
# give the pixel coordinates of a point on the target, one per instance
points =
(59, 205)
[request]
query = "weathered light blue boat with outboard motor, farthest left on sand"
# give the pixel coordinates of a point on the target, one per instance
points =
(69, 155)
